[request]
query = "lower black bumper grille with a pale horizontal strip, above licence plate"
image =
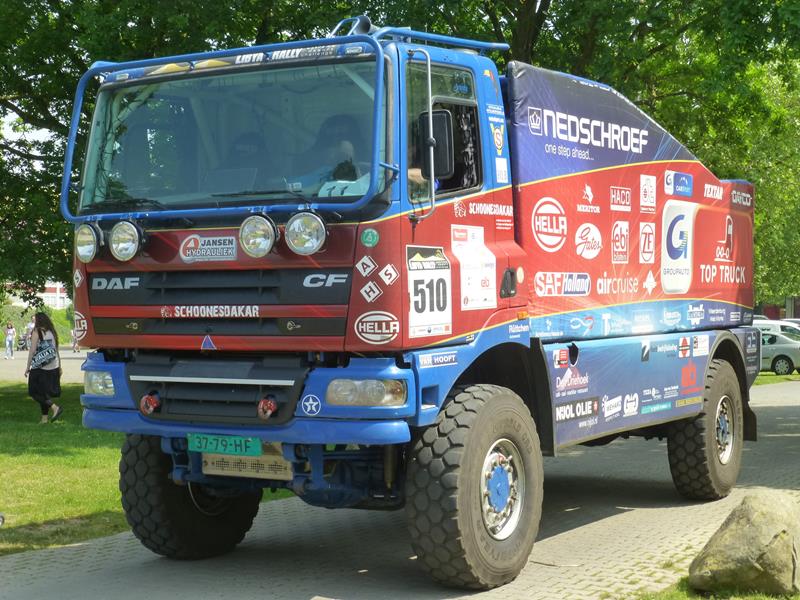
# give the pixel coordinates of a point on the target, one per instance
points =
(220, 390)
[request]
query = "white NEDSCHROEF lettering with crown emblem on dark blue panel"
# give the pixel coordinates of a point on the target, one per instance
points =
(586, 131)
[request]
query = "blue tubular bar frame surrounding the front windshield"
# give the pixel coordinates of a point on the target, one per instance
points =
(99, 68)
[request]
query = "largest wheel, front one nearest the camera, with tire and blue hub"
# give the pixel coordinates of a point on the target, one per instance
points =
(474, 489)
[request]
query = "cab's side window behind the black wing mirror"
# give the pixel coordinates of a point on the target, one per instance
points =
(454, 91)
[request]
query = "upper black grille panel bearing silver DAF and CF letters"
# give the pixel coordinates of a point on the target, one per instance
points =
(277, 286)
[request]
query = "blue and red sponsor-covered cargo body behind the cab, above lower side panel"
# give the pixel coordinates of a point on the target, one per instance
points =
(627, 233)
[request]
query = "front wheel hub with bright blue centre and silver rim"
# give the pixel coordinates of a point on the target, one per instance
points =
(502, 489)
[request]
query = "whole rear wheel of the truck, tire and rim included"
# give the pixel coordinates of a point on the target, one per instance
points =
(705, 452)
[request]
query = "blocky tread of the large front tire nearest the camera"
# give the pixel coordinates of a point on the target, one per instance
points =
(431, 488)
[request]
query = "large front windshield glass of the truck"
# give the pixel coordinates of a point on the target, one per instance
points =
(232, 138)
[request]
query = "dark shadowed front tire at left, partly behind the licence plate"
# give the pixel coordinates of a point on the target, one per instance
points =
(182, 522)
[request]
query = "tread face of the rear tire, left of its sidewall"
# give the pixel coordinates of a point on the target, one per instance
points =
(688, 462)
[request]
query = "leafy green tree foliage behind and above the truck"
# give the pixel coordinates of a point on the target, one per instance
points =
(722, 75)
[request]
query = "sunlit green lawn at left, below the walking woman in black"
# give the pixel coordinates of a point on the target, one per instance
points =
(58, 482)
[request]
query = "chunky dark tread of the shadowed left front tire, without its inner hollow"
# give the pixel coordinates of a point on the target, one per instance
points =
(144, 479)
